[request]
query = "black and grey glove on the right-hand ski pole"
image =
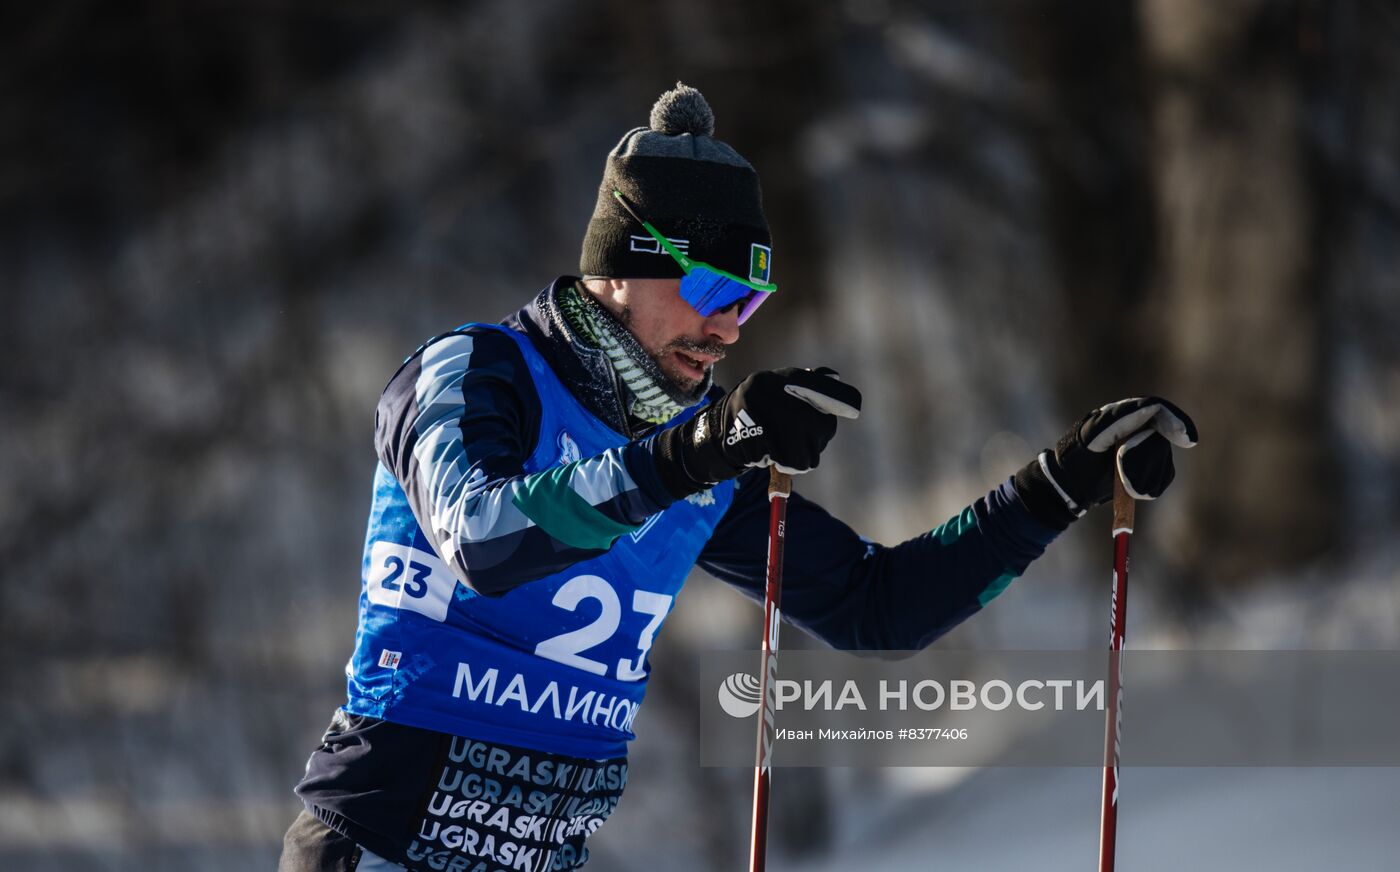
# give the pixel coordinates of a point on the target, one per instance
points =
(1077, 474)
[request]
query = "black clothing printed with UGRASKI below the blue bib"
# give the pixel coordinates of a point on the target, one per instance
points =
(474, 807)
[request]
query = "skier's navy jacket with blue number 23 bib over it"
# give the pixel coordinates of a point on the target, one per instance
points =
(513, 488)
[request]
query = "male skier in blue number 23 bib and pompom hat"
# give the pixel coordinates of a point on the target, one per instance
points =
(547, 485)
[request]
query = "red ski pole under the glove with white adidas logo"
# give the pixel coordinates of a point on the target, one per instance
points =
(780, 485)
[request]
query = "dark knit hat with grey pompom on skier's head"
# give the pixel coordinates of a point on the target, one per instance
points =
(695, 190)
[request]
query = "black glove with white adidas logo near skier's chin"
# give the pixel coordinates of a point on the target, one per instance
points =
(783, 419)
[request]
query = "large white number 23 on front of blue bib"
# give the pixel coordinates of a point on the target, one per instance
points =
(568, 647)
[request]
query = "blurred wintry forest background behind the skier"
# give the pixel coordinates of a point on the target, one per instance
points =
(225, 225)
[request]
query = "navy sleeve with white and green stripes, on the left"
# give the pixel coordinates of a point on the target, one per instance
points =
(457, 426)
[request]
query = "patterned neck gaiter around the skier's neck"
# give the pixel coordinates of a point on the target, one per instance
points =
(654, 398)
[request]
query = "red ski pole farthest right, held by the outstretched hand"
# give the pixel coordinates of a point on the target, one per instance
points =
(1123, 512)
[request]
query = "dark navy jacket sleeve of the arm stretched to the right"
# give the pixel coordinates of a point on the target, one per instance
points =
(859, 596)
